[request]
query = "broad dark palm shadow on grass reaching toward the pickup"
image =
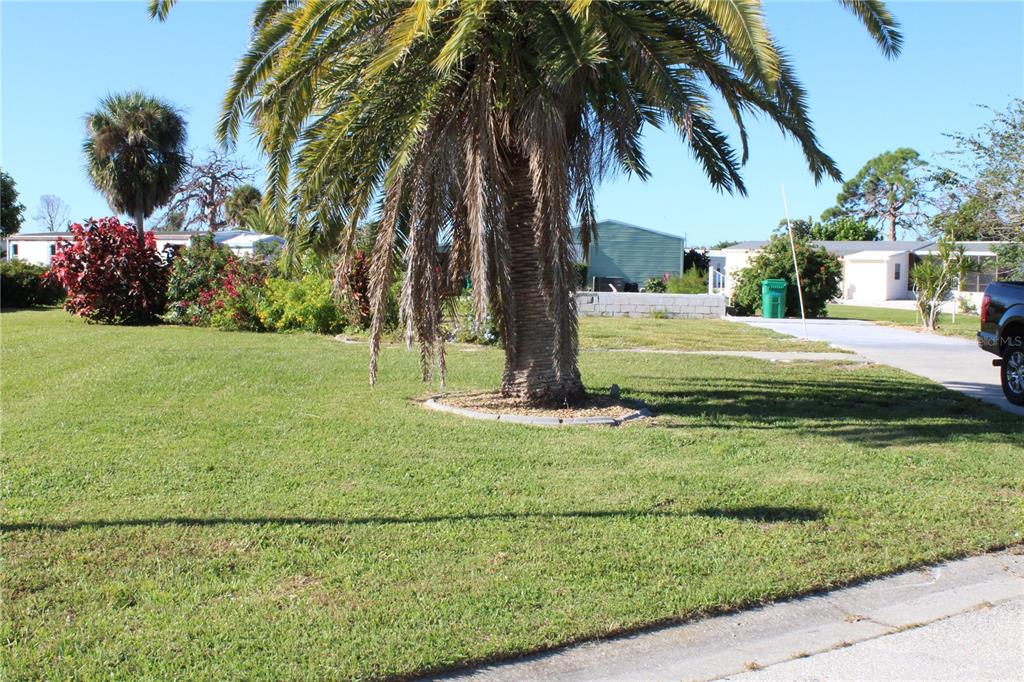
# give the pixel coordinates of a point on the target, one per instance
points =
(873, 411)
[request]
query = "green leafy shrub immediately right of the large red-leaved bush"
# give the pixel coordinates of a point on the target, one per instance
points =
(194, 283)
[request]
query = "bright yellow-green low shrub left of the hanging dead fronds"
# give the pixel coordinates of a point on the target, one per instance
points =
(306, 305)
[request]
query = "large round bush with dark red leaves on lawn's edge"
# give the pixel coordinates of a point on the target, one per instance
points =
(108, 275)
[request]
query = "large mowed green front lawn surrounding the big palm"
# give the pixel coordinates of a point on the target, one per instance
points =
(188, 503)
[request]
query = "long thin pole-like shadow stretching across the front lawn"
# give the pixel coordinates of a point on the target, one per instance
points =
(744, 515)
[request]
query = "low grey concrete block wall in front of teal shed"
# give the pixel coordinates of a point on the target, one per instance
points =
(617, 305)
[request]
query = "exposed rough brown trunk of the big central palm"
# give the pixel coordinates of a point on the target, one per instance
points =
(532, 369)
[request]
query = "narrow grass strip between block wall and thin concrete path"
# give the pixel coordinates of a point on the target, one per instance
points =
(656, 334)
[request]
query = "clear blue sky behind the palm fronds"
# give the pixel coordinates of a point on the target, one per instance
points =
(60, 58)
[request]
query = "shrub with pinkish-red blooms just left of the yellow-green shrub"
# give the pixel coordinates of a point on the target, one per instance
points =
(240, 295)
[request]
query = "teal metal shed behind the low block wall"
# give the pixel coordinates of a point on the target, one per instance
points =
(633, 253)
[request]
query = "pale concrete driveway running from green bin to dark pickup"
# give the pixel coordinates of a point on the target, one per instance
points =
(957, 364)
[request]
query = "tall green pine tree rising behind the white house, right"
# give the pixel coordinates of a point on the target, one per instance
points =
(888, 191)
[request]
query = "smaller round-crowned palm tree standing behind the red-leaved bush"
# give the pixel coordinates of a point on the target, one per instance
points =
(136, 155)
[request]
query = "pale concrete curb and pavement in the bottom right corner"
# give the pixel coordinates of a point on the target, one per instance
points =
(961, 620)
